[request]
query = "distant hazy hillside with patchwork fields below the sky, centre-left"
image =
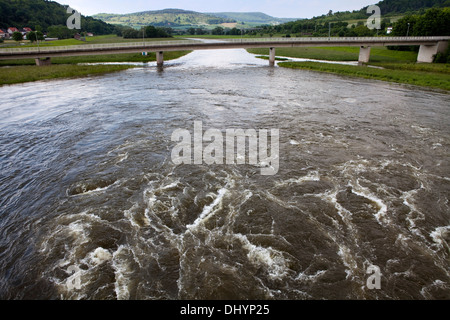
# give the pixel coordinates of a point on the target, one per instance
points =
(163, 18)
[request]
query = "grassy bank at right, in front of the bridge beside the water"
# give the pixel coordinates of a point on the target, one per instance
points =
(433, 76)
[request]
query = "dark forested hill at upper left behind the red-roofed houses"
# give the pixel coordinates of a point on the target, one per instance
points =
(44, 13)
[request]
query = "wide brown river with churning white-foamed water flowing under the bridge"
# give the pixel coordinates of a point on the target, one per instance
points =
(92, 207)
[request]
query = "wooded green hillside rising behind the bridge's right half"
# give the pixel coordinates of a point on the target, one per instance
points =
(413, 17)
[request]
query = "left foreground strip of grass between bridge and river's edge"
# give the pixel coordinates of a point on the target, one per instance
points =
(21, 74)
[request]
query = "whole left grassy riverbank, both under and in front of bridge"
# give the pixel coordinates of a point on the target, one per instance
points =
(21, 71)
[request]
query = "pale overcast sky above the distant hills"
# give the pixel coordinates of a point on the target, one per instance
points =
(275, 8)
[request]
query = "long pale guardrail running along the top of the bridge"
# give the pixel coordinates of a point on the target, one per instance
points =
(149, 45)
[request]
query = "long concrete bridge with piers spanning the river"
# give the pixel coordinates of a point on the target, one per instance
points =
(429, 47)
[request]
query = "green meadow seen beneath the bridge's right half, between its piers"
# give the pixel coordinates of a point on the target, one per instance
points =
(378, 54)
